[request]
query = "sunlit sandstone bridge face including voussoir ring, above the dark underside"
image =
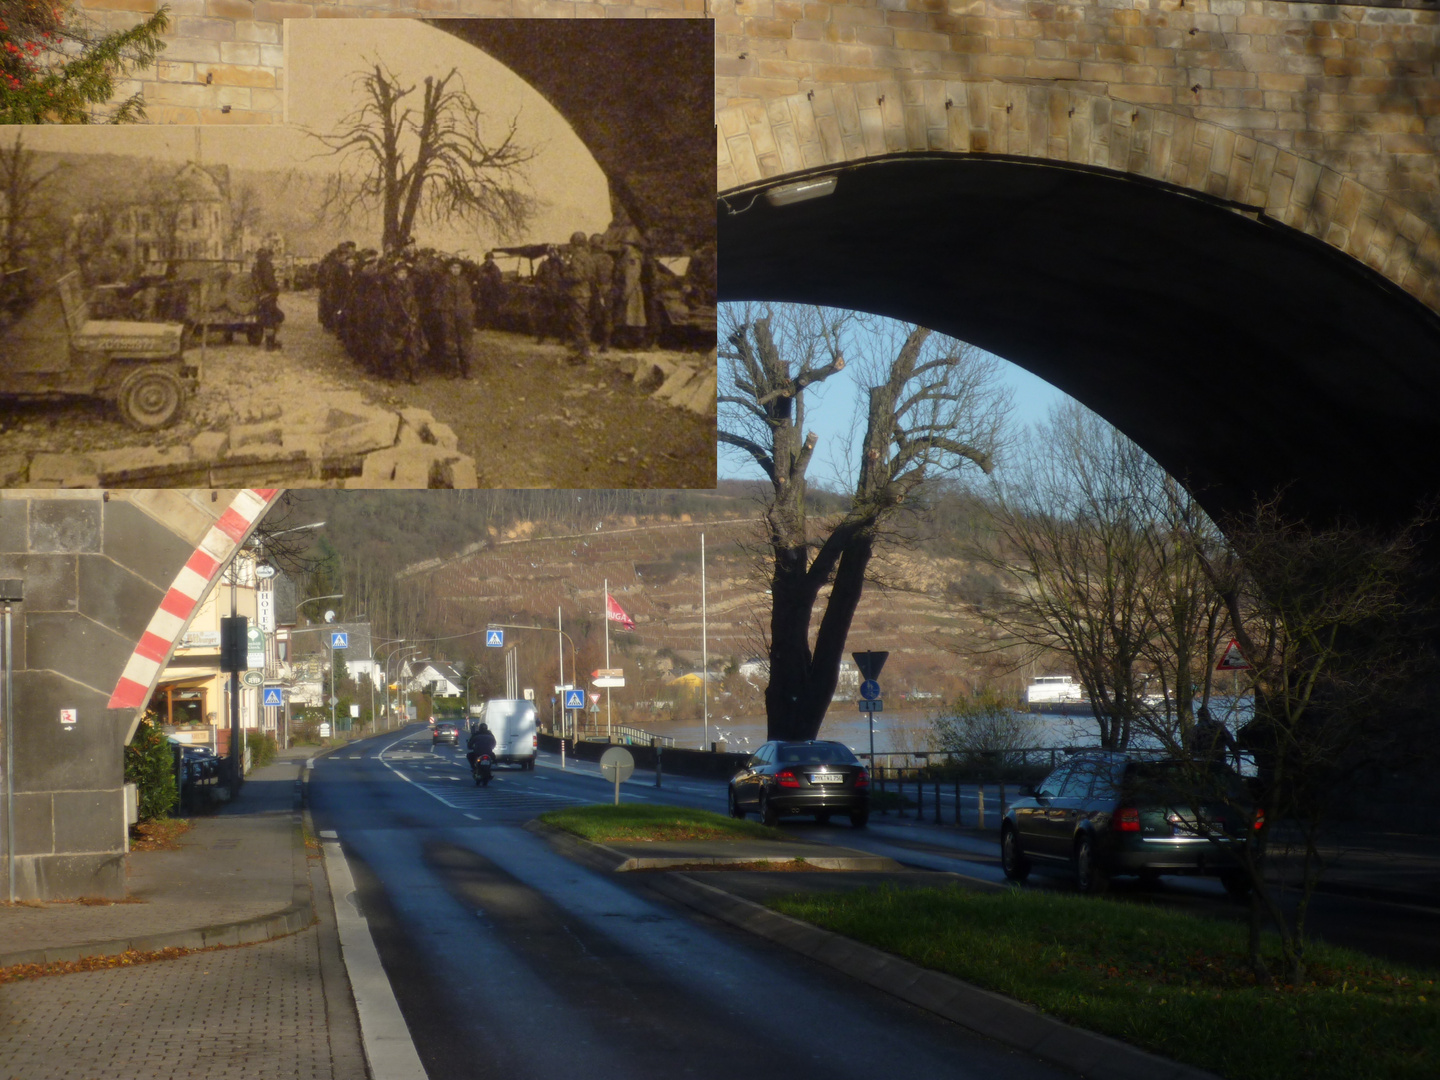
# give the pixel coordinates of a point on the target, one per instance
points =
(1323, 117)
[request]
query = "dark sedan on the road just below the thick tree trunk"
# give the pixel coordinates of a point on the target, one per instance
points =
(803, 778)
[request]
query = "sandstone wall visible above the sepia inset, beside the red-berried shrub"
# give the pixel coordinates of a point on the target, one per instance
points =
(225, 63)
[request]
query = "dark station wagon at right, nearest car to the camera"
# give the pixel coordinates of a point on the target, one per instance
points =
(1104, 813)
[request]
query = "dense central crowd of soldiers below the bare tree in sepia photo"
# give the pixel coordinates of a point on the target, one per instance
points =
(405, 310)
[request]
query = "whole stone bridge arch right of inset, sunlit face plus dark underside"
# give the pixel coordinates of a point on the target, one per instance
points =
(1222, 214)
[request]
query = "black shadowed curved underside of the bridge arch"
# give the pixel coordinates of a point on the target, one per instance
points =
(1243, 355)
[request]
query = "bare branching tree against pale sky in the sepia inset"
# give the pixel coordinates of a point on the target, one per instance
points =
(431, 162)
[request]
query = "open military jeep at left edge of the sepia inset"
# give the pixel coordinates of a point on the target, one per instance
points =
(58, 351)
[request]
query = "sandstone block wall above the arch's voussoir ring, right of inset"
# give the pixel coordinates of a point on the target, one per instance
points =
(1354, 90)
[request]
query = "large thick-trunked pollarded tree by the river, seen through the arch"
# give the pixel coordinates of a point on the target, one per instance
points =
(932, 407)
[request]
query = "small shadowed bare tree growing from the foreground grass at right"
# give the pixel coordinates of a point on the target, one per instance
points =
(1327, 620)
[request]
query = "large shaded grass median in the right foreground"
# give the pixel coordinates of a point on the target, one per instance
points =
(1167, 981)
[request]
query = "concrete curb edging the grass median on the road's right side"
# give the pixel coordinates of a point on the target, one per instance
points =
(983, 1012)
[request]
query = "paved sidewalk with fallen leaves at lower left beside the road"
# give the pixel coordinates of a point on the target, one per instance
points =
(274, 1010)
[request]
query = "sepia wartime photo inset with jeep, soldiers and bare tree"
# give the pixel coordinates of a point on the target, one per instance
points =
(479, 253)
